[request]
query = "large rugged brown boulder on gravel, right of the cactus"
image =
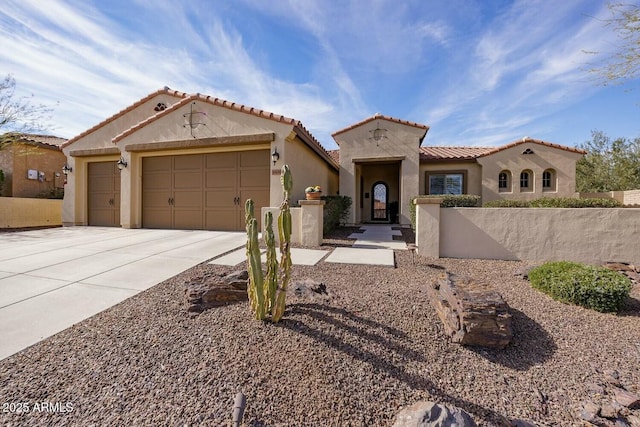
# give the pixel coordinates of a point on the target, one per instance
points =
(473, 313)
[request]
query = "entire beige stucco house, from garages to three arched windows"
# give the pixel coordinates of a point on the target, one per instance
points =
(175, 160)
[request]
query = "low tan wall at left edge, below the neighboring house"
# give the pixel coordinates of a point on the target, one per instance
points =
(17, 212)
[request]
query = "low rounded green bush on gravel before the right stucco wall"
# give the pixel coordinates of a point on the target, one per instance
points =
(588, 286)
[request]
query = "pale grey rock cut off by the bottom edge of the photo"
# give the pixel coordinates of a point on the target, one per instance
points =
(430, 414)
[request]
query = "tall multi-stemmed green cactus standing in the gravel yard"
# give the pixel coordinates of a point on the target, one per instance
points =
(267, 295)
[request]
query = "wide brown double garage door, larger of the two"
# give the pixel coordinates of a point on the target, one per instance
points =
(203, 191)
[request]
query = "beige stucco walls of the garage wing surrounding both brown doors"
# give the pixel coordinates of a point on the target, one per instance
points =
(210, 122)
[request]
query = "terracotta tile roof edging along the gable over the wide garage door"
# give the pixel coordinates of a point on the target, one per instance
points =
(298, 127)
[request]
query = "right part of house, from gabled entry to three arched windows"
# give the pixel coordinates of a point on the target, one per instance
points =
(381, 158)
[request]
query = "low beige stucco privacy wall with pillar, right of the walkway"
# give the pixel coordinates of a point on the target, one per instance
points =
(536, 234)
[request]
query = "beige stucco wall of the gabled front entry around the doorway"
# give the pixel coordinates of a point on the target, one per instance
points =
(402, 144)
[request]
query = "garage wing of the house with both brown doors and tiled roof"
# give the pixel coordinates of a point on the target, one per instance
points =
(174, 160)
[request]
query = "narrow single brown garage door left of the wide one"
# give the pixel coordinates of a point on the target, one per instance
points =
(104, 194)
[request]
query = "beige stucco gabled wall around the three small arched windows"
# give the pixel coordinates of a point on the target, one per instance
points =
(563, 162)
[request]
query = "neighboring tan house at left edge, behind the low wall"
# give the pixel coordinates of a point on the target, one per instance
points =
(31, 165)
